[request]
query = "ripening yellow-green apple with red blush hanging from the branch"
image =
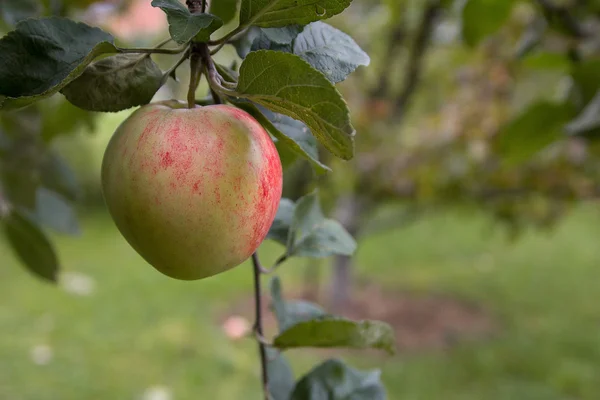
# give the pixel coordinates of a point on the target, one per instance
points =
(193, 191)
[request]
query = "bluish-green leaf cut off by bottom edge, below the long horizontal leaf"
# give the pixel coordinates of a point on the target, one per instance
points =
(334, 380)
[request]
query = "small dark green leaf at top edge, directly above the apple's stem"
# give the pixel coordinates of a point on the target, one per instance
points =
(185, 26)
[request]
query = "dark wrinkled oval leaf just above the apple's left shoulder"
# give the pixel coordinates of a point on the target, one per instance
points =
(115, 83)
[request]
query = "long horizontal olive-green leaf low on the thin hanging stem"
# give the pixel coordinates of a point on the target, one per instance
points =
(334, 332)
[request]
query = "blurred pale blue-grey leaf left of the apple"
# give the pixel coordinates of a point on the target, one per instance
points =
(56, 213)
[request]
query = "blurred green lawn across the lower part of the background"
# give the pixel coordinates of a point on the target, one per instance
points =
(138, 329)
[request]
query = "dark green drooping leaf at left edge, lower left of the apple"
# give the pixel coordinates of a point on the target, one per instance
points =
(31, 246)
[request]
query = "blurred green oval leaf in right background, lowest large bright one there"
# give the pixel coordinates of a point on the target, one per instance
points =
(533, 130)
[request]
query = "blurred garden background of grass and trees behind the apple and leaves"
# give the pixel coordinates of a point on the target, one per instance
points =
(477, 234)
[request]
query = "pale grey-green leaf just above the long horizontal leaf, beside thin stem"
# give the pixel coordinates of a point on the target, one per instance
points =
(290, 313)
